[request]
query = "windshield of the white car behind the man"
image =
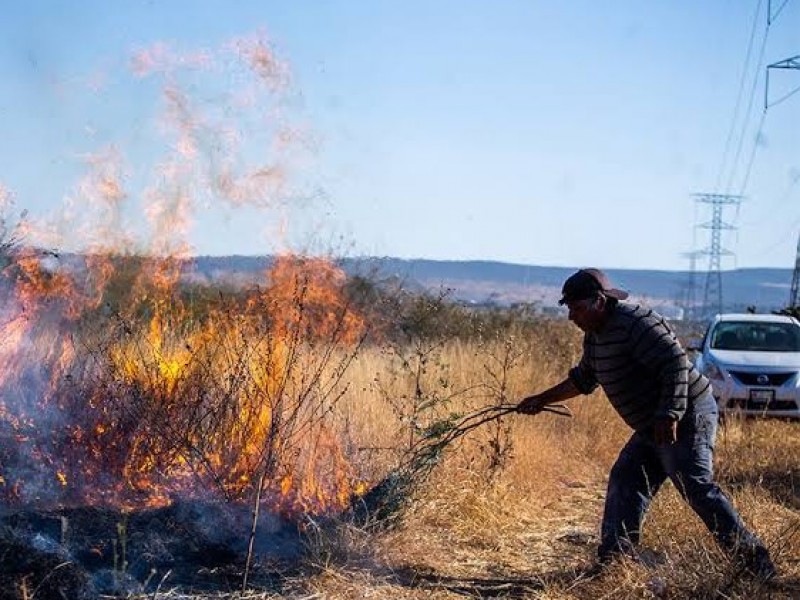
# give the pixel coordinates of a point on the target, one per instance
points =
(762, 336)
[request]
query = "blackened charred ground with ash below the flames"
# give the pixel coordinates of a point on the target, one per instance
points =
(82, 553)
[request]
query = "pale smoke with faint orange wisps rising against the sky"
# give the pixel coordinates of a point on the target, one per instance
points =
(212, 133)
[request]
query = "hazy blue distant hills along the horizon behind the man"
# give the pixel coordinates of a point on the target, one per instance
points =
(490, 282)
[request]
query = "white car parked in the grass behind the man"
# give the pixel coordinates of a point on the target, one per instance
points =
(753, 362)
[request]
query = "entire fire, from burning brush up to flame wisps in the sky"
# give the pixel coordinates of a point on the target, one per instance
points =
(119, 383)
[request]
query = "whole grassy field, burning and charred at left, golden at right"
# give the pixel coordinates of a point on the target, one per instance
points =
(274, 399)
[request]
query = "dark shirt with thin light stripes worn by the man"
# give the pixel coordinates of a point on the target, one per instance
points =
(642, 368)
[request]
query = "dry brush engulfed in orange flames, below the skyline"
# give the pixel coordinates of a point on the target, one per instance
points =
(136, 404)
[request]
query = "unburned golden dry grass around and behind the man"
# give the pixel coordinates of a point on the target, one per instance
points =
(529, 527)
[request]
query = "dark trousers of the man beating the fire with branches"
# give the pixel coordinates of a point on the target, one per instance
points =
(642, 467)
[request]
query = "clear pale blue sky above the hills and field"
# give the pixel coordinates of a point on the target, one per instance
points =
(551, 133)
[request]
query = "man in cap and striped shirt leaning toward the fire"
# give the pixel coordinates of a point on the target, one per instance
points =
(634, 356)
